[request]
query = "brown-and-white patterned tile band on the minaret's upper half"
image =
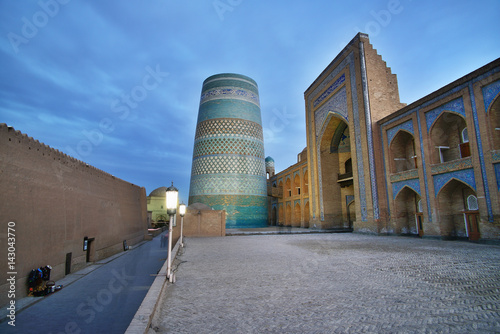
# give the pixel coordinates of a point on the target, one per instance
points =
(228, 127)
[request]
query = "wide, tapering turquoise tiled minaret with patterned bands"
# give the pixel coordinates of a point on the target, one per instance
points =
(228, 171)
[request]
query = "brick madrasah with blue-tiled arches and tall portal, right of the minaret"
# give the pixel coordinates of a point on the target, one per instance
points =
(377, 166)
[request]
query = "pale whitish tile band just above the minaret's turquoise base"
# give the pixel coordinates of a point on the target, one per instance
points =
(220, 184)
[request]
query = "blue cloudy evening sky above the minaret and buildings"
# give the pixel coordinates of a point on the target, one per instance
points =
(117, 83)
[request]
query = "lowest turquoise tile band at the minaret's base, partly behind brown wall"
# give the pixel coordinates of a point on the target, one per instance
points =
(242, 211)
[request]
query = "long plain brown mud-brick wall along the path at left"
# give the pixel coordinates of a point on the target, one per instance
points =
(52, 202)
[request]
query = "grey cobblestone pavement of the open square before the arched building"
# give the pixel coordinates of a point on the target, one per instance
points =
(332, 283)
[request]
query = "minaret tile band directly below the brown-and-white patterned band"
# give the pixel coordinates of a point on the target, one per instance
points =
(229, 146)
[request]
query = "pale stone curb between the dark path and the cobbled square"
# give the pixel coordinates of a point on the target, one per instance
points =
(144, 315)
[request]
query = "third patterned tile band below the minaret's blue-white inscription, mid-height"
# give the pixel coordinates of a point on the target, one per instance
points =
(232, 164)
